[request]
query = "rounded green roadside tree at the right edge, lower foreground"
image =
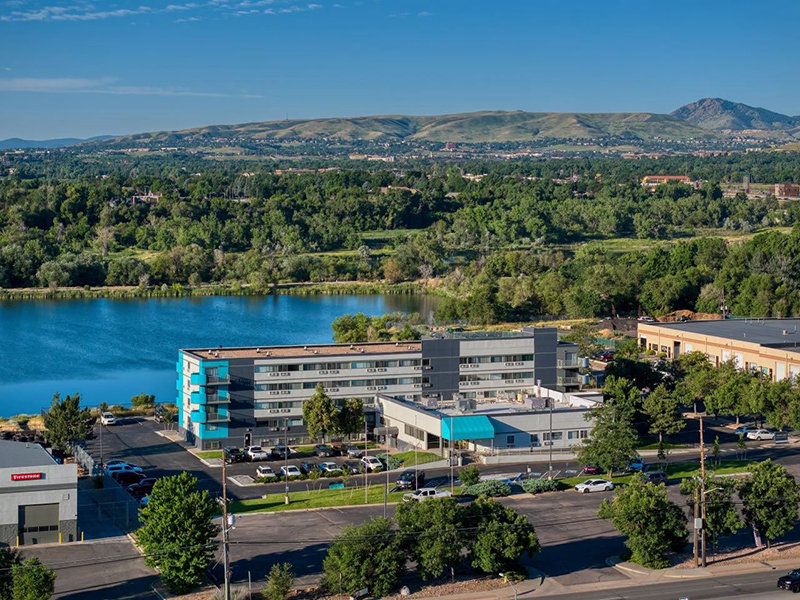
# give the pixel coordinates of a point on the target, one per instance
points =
(770, 497)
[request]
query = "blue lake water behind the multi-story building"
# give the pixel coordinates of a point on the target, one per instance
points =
(109, 350)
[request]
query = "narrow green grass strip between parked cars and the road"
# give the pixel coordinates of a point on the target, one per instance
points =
(315, 499)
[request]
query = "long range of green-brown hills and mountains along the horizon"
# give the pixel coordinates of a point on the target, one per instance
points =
(709, 119)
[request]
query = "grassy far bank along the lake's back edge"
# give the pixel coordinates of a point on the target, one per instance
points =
(331, 288)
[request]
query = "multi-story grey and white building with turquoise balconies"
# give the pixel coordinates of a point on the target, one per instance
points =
(243, 396)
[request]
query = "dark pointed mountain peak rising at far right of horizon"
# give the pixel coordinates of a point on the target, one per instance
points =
(719, 114)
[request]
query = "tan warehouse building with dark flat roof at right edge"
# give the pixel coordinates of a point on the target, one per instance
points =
(768, 346)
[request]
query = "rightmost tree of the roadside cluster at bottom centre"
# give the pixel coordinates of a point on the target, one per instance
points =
(500, 535)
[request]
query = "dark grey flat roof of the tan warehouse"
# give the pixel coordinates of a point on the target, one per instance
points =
(767, 332)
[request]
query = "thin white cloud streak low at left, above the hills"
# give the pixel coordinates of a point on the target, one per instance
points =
(104, 85)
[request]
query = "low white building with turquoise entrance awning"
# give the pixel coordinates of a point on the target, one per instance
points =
(527, 423)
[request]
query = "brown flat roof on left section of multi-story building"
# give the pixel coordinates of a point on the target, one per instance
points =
(307, 351)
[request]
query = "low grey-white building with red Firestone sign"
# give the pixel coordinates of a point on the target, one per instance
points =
(38, 496)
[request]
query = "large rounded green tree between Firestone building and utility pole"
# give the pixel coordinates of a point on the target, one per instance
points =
(177, 534)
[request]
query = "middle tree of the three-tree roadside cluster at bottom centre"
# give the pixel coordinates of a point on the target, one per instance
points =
(433, 534)
